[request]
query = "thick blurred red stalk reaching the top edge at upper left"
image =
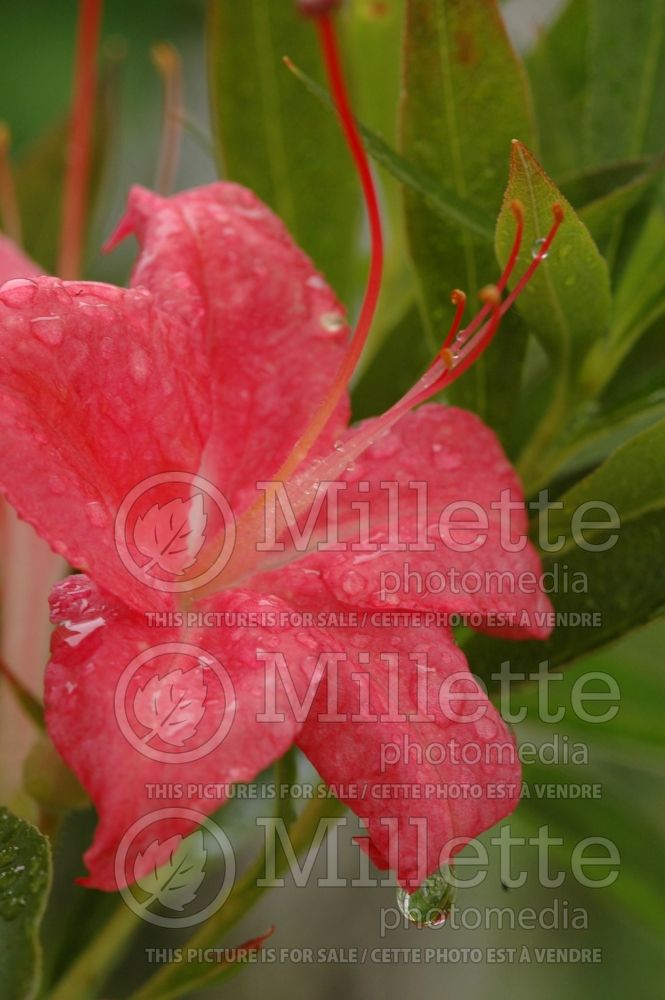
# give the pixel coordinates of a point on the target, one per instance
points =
(79, 159)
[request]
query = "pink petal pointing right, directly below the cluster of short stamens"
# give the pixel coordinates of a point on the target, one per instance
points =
(437, 467)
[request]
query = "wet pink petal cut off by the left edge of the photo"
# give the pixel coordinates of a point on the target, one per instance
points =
(98, 390)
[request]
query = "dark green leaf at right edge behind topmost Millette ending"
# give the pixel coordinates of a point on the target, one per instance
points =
(623, 584)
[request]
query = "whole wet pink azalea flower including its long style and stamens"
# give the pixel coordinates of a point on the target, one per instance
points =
(228, 359)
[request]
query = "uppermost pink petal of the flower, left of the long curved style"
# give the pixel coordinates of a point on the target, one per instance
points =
(276, 333)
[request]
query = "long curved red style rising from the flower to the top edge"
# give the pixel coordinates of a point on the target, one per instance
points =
(333, 64)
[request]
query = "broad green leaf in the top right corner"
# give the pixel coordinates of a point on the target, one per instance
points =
(626, 96)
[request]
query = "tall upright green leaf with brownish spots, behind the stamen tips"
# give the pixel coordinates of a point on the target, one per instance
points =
(465, 98)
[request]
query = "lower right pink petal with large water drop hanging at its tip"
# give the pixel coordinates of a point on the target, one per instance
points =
(404, 734)
